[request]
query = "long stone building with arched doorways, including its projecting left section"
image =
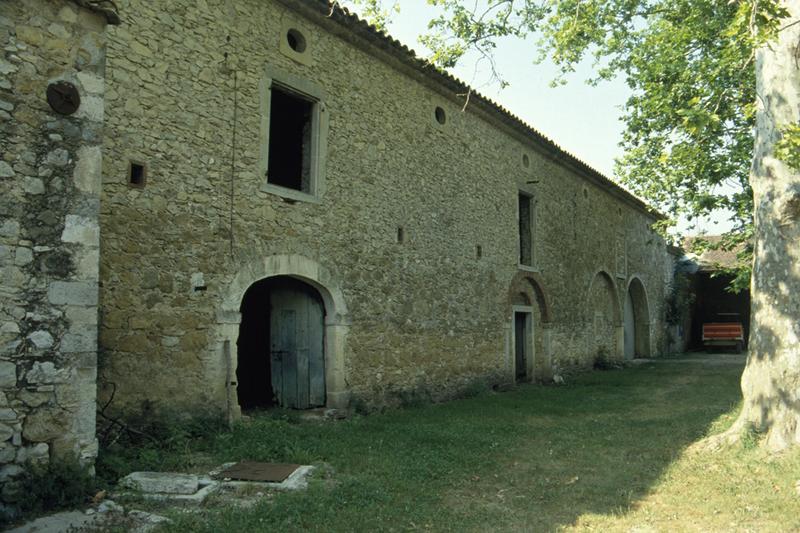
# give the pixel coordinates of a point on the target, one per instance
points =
(294, 211)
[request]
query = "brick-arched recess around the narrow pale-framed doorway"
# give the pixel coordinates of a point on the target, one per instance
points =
(527, 295)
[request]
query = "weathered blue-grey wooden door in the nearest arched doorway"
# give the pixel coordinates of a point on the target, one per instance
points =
(297, 355)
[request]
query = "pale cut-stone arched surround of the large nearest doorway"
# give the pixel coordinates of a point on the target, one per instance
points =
(336, 325)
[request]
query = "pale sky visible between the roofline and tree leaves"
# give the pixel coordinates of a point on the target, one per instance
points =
(582, 119)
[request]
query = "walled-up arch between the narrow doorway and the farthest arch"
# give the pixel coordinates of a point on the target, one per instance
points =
(605, 333)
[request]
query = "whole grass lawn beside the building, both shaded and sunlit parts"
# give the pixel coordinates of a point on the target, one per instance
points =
(607, 451)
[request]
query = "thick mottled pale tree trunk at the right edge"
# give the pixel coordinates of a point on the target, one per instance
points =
(771, 379)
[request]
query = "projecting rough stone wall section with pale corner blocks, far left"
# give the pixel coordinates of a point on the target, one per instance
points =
(50, 168)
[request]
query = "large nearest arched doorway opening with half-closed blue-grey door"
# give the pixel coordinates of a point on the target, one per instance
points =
(281, 345)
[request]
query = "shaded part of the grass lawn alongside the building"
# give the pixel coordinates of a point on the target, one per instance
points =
(536, 458)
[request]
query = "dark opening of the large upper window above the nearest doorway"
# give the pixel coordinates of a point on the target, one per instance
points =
(290, 143)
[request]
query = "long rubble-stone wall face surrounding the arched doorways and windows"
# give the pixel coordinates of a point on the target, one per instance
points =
(184, 82)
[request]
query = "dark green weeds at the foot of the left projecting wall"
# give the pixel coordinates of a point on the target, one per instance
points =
(59, 484)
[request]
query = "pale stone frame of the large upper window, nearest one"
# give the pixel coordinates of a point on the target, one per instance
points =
(319, 133)
